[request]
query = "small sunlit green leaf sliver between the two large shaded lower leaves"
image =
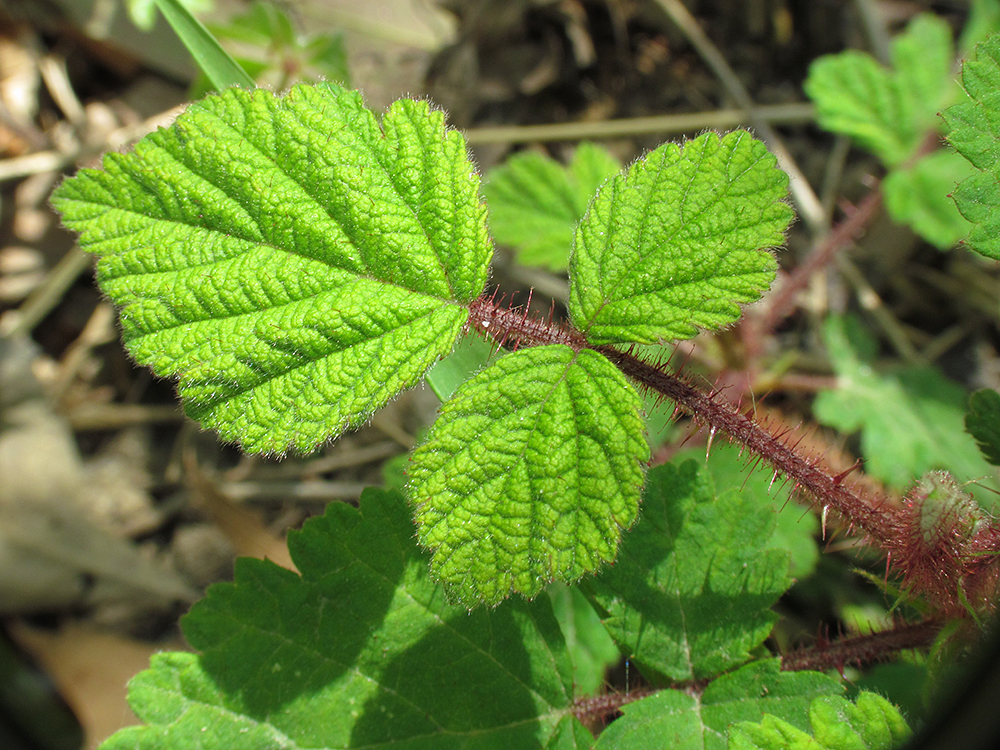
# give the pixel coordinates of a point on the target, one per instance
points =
(589, 645)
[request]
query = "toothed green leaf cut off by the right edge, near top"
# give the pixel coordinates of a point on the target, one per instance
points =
(975, 133)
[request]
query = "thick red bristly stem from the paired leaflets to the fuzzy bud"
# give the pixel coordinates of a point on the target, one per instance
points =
(881, 522)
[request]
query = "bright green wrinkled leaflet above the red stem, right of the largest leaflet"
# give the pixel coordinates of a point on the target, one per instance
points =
(678, 240)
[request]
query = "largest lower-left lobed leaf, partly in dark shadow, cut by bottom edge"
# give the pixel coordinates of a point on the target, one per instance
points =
(360, 650)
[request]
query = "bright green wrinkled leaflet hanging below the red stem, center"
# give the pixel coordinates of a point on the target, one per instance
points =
(530, 473)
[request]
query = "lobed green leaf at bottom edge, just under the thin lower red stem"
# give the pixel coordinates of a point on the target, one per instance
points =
(702, 722)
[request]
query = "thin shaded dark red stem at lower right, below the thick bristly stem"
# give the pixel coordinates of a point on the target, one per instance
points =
(862, 649)
